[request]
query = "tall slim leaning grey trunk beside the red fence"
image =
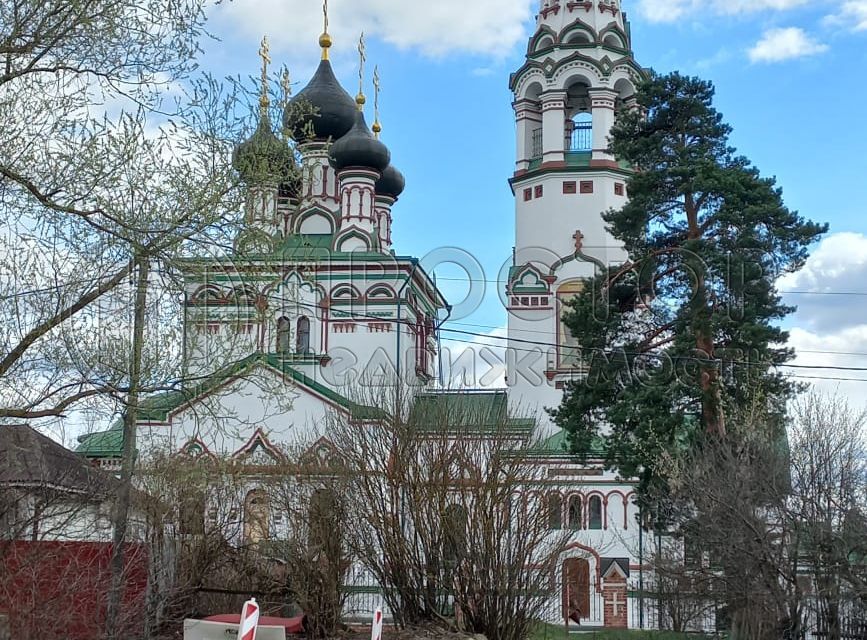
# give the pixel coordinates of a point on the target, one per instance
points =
(122, 500)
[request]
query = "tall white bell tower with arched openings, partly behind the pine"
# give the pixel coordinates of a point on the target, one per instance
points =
(578, 73)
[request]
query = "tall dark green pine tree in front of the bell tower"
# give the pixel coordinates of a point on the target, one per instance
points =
(686, 333)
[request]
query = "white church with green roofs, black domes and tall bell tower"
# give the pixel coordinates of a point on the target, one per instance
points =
(315, 292)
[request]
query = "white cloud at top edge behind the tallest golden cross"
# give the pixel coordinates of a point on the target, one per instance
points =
(486, 27)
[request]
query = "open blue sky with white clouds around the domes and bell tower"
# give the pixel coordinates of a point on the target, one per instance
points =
(789, 77)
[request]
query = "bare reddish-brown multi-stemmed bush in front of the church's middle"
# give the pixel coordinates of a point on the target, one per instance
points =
(439, 515)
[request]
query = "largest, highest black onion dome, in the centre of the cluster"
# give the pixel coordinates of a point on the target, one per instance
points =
(324, 104)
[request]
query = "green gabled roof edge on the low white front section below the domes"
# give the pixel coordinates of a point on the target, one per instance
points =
(107, 444)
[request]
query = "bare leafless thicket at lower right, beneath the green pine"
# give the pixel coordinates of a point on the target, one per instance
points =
(768, 525)
